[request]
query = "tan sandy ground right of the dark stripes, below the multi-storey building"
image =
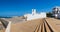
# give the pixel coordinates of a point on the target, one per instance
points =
(54, 23)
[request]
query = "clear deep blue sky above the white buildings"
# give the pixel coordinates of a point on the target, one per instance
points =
(21, 7)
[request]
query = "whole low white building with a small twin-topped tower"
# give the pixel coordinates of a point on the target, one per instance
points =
(35, 15)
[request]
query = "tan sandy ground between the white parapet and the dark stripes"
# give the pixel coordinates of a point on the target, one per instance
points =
(27, 26)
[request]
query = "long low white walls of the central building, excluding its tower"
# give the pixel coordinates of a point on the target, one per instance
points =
(35, 16)
